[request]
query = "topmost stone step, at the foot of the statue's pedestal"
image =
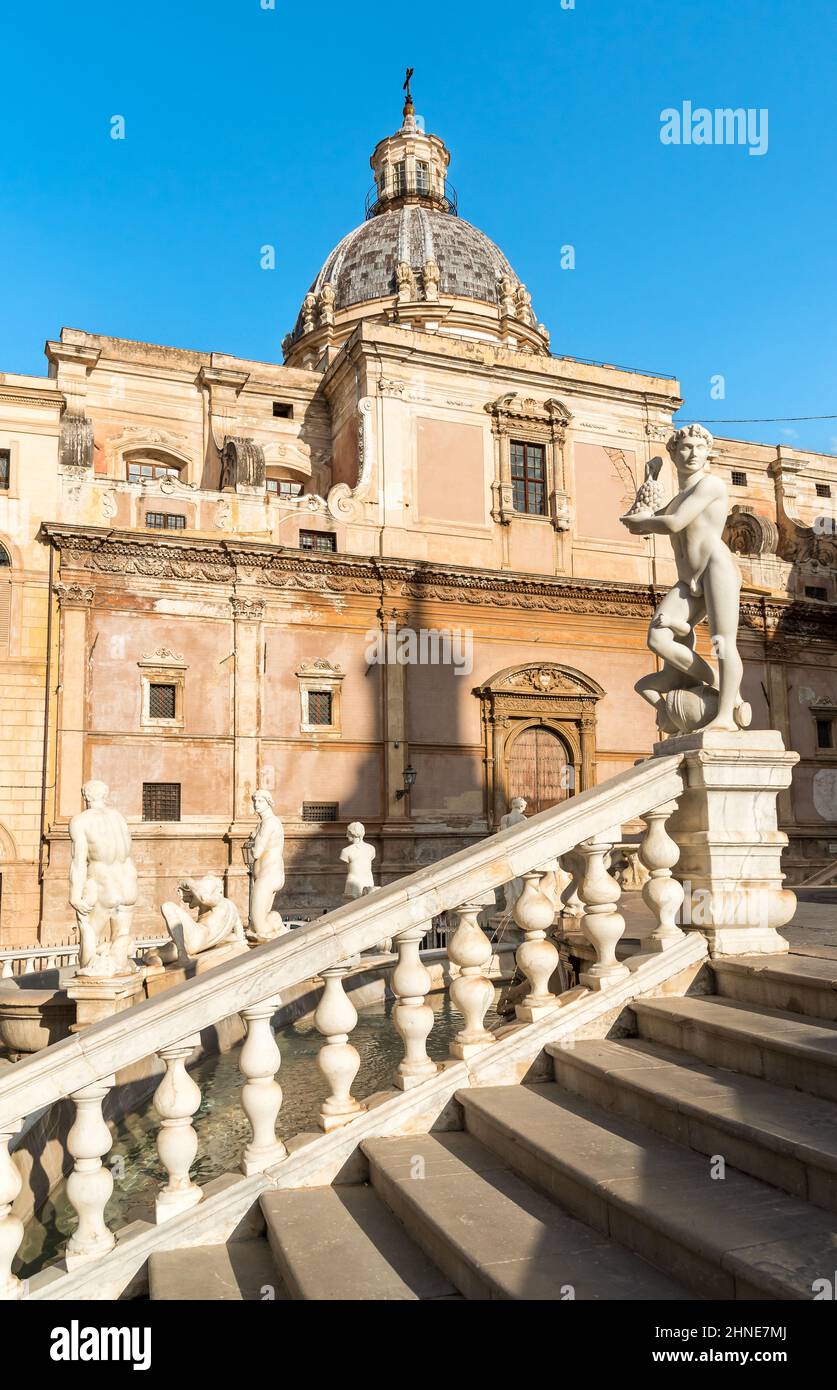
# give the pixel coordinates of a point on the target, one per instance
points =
(800, 985)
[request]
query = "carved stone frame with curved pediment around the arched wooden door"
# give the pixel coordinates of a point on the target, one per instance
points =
(537, 694)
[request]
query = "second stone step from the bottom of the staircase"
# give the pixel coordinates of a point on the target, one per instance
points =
(341, 1243)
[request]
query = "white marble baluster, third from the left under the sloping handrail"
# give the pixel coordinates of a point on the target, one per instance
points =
(176, 1102)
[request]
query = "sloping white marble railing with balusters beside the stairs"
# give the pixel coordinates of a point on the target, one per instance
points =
(84, 1067)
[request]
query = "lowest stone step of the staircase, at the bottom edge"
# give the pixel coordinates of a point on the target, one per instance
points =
(243, 1271)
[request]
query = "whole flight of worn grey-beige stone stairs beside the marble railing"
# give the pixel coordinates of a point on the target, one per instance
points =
(697, 1159)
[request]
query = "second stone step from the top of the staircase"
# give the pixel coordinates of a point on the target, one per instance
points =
(774, 1045)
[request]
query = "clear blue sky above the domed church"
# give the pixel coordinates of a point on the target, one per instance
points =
(248, 126)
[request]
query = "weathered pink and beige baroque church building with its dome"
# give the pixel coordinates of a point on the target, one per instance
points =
(212, 572)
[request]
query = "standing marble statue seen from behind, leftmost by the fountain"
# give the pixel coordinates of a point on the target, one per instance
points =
(102, 886)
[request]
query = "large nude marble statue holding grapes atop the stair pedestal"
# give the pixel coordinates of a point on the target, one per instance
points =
(686, 693)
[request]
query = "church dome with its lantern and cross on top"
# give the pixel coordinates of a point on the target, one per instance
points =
(415, 263)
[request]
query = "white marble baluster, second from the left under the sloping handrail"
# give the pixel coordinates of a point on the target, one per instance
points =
(91, 1184)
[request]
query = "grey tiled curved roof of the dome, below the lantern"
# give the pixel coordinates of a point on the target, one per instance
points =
(362, 268)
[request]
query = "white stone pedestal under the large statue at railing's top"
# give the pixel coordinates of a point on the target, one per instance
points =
(731, 846)
